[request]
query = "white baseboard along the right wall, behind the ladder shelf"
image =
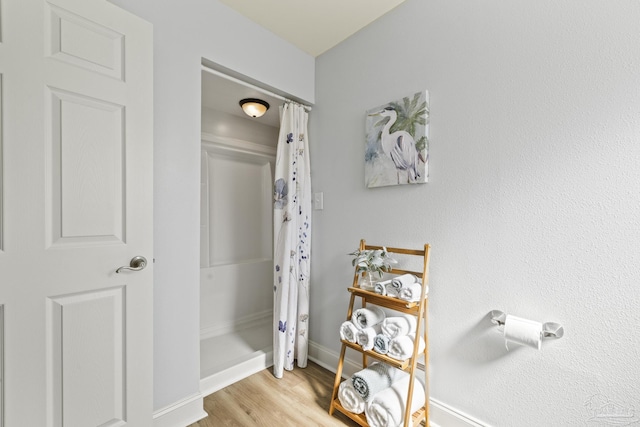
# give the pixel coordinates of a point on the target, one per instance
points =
(440, 414)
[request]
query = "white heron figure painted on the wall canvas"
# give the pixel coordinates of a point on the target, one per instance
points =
(399, 145)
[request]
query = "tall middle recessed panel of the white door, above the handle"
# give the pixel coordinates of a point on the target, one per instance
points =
(87, 169)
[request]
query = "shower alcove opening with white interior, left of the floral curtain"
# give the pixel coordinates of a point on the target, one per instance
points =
(236, 280)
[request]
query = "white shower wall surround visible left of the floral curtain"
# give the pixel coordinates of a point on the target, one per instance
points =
(236, 223)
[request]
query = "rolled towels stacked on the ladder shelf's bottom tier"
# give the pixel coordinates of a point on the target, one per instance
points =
(381, 392)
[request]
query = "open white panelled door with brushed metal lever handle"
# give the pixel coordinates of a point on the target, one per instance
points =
(76, 197)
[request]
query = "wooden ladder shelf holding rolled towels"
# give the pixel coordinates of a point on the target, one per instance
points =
(418, 309)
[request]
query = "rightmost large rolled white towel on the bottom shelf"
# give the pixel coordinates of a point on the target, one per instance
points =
(387, 408)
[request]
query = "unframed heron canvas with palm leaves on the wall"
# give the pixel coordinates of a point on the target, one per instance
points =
(397, 145)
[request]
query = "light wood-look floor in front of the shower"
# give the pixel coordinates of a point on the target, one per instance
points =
(300, 399)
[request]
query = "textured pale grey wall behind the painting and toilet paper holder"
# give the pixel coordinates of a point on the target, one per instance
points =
(533, 201)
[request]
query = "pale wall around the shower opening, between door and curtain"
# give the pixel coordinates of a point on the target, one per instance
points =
(184, 33)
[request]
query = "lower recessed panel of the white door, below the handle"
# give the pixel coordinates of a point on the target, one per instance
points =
(86, 347)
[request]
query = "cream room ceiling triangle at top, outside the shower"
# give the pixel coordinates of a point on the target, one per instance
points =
(311, 25)
